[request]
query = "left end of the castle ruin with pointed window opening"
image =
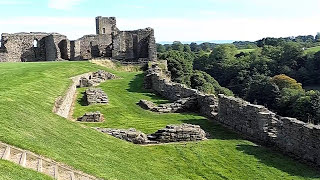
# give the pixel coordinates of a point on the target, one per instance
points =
(26, 47)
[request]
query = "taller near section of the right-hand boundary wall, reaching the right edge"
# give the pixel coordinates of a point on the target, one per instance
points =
(289, 135)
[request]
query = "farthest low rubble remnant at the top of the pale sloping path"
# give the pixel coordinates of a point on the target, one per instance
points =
(96, 78)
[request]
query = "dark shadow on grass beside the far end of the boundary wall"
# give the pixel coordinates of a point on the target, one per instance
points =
(136, 85)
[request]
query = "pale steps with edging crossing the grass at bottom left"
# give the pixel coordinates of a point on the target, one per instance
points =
(41, 164)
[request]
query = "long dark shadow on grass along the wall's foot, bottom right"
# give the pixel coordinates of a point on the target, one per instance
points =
(279, 161)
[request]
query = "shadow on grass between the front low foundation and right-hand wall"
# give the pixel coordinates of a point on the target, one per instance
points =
(215, 130)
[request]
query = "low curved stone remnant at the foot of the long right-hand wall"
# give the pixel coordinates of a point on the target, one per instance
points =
(181, 105)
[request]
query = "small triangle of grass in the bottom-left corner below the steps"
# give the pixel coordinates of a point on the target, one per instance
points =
(9, 171)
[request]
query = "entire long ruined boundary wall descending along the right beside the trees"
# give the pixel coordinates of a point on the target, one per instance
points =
(289, 135)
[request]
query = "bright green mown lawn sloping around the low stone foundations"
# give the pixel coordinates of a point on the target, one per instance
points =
(28, 91)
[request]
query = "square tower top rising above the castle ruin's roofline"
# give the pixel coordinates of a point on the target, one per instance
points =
(105, 25)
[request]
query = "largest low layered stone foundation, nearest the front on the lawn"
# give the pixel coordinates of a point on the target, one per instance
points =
(177, 133)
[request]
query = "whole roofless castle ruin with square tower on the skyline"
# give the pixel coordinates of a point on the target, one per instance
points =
(108, 42)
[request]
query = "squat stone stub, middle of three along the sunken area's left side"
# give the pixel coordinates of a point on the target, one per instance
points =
(95, 96)
